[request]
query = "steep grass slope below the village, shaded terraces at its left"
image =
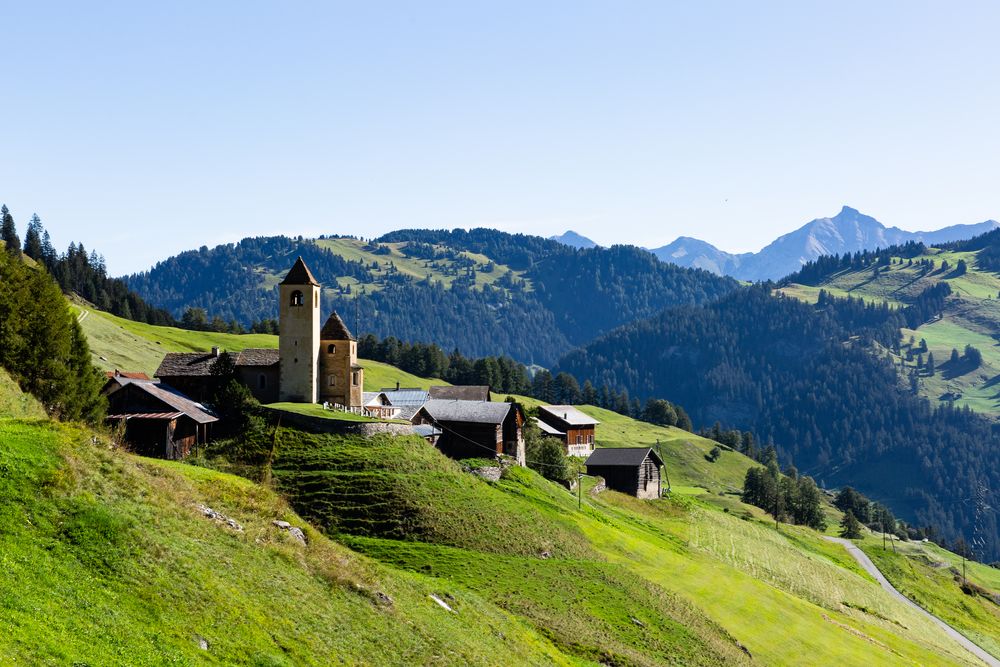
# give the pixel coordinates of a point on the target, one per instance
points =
(787, 596)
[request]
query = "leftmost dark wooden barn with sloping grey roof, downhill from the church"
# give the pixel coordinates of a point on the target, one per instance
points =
(159, 420)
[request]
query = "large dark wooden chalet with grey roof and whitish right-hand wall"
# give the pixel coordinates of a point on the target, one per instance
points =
(475, 429)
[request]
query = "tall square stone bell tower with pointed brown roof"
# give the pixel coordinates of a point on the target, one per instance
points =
(299, 336)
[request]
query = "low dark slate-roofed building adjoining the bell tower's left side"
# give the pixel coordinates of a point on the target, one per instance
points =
(191, 372)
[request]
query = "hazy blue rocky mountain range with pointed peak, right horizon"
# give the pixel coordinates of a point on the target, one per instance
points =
(848, 231)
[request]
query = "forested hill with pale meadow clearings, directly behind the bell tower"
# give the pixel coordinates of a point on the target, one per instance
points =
(483, 292)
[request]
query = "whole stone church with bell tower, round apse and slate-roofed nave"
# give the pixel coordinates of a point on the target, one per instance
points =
(313, 363)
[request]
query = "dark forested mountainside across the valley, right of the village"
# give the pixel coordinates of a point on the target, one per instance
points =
(806, 377)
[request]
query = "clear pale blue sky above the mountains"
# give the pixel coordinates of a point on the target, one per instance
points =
(142, 128)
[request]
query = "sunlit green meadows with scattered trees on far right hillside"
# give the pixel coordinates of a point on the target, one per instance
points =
(971, 316)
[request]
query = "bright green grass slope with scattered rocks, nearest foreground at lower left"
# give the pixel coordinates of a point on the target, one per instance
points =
(106, 558)
